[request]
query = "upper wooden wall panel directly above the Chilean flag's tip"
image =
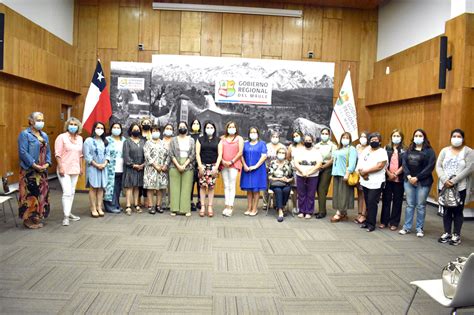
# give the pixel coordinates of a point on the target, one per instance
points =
(108, 20)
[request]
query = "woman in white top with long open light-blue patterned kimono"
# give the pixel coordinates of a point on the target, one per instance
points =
(114, 169)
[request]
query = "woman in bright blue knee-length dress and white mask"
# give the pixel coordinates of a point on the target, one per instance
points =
(254, 176)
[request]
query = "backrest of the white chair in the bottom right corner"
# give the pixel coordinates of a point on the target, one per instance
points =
(464, 295)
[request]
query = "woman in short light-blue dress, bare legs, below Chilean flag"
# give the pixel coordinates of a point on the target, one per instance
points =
(96, 155)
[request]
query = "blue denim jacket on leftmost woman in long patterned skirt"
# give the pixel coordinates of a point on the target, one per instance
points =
(29, 148)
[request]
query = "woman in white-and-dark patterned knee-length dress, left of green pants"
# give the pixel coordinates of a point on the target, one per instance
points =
(155, 179)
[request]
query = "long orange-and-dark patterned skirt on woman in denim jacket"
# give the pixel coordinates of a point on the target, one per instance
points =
(34, 195)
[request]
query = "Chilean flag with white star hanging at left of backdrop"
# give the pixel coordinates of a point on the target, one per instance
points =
(97, 106)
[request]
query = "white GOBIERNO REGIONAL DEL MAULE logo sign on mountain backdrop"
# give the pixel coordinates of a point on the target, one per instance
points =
(243, 91)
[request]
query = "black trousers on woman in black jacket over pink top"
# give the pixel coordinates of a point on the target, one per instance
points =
(392, 200)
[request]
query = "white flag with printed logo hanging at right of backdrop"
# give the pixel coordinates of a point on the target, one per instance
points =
(344, 116)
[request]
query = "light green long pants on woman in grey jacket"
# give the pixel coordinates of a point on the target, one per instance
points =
(180, 190)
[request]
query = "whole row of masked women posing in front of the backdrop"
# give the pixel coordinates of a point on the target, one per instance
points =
(152, 160)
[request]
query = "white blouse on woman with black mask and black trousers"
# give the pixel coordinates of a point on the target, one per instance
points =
(369, 159)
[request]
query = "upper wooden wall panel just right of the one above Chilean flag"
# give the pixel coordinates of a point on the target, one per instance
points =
(128, 33)
